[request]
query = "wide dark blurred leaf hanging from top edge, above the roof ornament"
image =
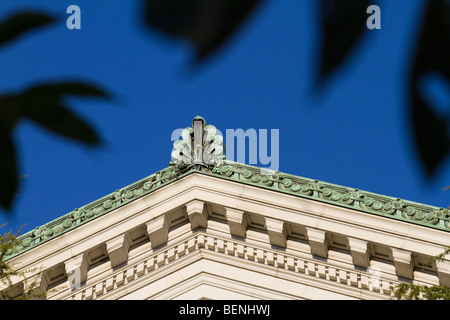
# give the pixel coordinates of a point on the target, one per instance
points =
(206, 24)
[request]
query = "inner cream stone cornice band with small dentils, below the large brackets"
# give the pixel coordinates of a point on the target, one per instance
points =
(345, 281)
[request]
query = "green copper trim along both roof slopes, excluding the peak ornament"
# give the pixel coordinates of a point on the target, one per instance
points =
(394, 208)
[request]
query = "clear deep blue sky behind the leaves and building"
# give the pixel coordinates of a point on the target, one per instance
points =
(355, 133)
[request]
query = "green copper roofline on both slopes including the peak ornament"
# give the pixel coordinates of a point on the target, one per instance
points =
(201, 151)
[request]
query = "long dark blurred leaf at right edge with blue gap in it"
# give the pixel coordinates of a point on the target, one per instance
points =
(432, 55)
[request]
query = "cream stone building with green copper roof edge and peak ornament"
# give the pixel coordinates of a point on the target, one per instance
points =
(207, 229)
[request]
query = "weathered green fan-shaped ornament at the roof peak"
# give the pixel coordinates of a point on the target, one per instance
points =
(200, 147)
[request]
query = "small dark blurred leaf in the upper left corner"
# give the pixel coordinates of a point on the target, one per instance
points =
(20, 23)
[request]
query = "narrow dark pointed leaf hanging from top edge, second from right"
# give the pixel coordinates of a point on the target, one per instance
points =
(343, 23)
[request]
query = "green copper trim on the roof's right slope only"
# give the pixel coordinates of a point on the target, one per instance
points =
(404, 210)
